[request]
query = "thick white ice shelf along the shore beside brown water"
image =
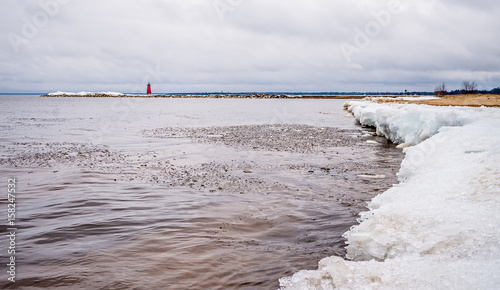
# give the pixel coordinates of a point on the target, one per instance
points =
(439, 227)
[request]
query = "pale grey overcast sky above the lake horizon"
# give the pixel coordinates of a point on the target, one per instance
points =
(248, 45)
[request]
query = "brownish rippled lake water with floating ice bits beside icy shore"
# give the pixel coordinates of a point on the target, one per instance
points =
(183, 193)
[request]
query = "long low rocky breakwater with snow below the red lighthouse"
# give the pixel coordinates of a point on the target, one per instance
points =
(214, 96)
